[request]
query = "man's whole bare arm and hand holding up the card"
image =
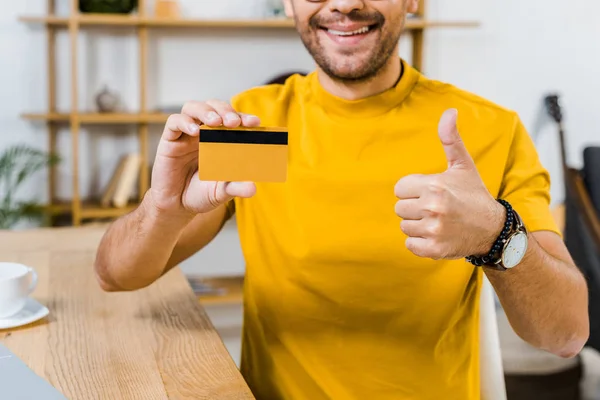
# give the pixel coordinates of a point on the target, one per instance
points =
(180, 214)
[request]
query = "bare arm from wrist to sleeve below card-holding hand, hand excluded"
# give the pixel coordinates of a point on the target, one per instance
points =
(140, 247)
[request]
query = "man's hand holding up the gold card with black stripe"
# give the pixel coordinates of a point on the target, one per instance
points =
(175, 187)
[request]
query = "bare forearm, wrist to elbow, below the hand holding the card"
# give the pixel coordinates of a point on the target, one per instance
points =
(135, 250)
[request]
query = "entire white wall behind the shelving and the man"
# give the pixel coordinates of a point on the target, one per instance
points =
(521, 51)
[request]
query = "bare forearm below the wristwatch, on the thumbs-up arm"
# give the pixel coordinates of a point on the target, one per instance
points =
(545, 299)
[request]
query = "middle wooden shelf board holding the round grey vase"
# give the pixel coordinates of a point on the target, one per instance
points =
(99, 118)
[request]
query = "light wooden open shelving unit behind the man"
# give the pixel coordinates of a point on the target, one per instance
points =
(76, 21)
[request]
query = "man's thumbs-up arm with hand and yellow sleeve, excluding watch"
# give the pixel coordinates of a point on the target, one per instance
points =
(453, 215)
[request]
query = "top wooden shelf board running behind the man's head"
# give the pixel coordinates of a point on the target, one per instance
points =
(280, 23)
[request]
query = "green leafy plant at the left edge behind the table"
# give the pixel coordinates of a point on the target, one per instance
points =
(17, 164)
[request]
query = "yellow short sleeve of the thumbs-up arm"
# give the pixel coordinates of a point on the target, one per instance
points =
(526, 183)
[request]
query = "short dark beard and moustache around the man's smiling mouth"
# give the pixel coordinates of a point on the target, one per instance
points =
(348, 66)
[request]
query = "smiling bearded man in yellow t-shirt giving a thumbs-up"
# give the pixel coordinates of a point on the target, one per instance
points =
(363, 270)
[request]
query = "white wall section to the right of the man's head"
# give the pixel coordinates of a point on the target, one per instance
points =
(524, 50)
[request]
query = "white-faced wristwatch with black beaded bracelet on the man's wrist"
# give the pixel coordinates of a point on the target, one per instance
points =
(511, 245)
